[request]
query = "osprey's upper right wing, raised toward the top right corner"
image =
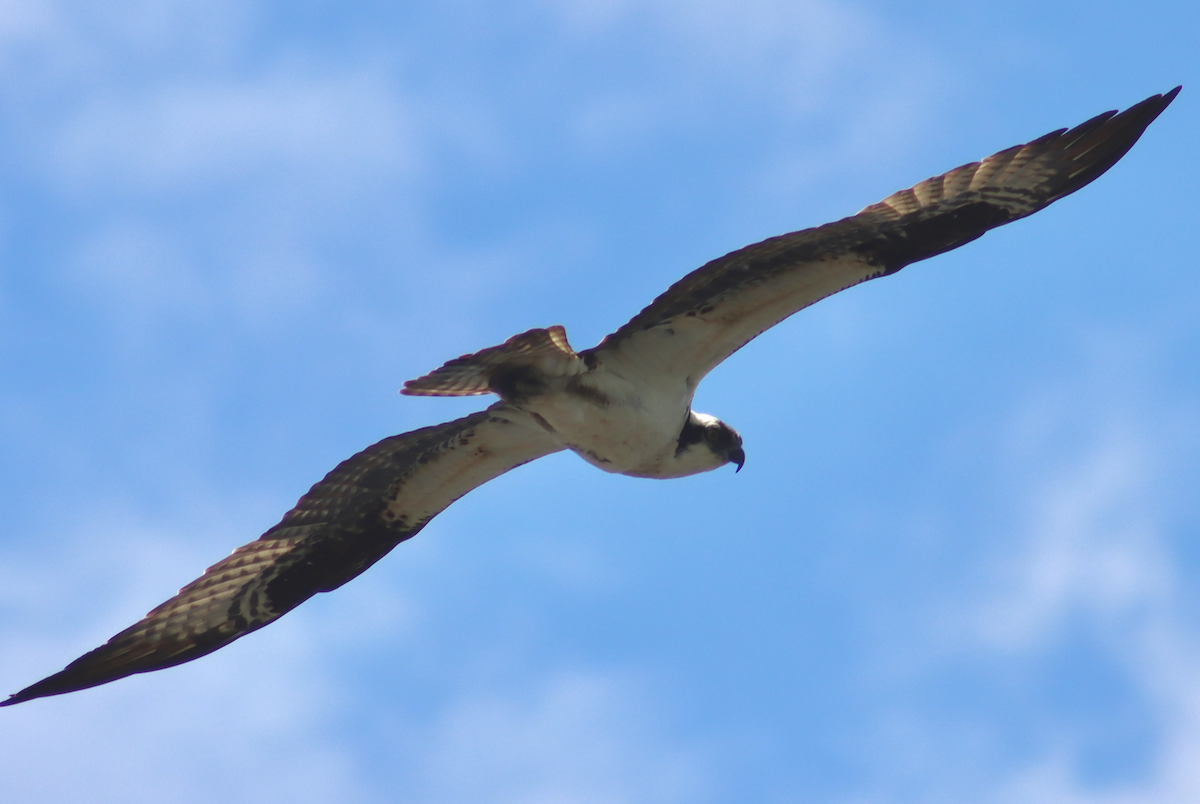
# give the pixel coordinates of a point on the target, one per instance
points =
(715, 311)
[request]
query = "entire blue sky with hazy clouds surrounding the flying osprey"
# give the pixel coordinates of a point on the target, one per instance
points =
(962, 562)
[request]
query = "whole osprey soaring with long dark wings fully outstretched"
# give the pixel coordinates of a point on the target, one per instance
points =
(623, 406)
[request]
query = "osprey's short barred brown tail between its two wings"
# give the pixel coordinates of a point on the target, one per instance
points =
(514, 369)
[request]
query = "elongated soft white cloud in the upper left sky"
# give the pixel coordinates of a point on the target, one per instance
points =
(184, 136)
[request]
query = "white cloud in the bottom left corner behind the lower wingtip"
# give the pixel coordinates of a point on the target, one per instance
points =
(244, 723)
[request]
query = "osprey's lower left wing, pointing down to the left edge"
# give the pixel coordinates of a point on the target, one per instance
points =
(347, 523)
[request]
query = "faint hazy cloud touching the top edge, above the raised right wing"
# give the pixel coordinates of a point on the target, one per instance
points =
(801, 57)
